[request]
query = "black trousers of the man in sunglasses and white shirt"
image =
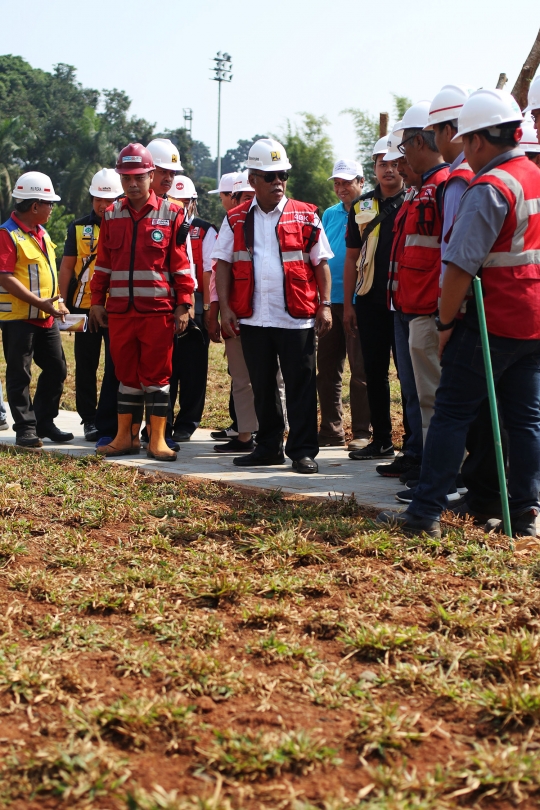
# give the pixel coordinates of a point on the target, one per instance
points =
(295, 348)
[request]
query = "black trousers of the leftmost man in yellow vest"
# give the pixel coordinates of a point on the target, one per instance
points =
(24, 342)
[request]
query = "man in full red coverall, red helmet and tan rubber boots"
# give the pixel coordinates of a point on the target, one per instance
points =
(141, 290)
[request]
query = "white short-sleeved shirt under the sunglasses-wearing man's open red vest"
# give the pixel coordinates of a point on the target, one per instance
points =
(269, 295)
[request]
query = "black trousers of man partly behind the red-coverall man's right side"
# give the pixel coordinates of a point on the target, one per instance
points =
(190, 372)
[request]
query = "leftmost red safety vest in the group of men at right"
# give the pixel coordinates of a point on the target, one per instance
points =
(420, 261)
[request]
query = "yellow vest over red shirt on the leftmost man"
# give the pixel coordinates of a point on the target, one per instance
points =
(35, 270)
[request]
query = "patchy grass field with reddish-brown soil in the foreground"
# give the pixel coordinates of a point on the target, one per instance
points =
(178, 645)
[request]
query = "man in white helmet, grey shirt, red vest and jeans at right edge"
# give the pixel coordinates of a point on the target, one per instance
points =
(496, 234)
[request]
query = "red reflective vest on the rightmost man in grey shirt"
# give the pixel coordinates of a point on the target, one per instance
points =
(511, 272)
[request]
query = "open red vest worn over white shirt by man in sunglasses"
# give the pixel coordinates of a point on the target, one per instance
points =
(297, 232)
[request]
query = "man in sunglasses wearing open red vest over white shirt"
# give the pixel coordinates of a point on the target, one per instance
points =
(273, 283)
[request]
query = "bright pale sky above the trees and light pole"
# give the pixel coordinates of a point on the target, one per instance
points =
(289, 56)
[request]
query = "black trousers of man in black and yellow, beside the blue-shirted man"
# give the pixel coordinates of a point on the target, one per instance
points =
(376, 330)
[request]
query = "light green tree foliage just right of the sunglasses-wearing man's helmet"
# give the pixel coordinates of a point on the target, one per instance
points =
(309, 150)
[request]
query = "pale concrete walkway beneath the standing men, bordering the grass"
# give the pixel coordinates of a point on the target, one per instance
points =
(338, 474)
